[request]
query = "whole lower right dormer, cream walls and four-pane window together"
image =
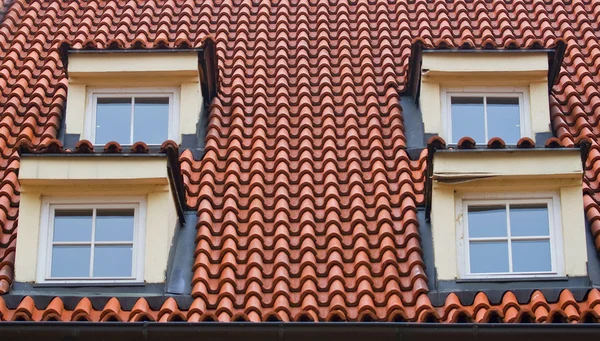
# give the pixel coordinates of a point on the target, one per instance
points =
(515, 213)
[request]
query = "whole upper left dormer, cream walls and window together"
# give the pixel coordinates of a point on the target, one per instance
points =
(131, 96)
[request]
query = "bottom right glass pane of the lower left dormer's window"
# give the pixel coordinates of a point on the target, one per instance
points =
(113, 261)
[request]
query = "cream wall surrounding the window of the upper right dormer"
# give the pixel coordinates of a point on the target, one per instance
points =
(485, 71)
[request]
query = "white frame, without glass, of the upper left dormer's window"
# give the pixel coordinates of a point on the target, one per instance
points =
(94, 93)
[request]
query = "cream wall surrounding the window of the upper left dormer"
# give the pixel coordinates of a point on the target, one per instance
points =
(128, 72)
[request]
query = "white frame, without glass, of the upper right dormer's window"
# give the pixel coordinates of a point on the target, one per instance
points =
(521, 93)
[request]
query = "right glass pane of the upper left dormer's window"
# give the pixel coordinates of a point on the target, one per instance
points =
(151, 120)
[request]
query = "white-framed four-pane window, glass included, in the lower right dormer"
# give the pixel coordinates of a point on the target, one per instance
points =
(510, 237)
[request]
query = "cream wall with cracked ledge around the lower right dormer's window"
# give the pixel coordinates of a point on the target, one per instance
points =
(517, 176)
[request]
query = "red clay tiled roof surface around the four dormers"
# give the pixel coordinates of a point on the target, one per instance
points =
(306, 196)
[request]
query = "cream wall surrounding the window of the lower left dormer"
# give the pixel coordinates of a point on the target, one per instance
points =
(78, 177)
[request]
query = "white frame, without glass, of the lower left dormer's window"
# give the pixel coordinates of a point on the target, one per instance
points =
(49, 206)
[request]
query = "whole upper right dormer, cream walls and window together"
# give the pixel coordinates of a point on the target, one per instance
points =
(486, 94)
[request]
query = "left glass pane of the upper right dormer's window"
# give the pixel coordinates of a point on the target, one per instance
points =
(467, 118)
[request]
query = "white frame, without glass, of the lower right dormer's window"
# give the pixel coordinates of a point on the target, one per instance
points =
(552, 199)
